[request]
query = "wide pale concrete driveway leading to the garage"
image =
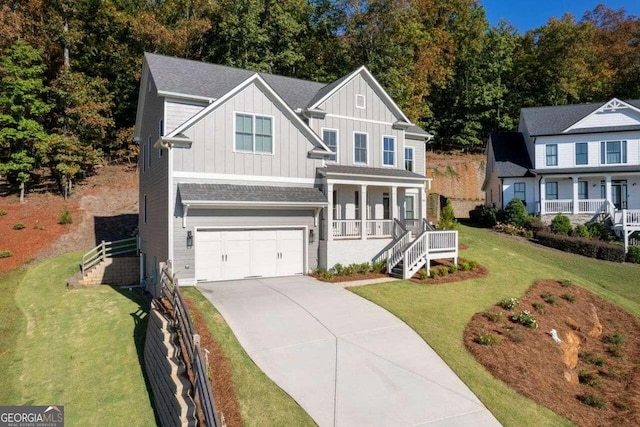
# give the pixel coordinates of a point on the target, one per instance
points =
(345, 360)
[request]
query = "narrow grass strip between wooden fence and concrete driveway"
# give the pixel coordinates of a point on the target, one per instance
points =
(261, 401)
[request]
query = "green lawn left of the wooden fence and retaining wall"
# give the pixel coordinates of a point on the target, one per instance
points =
(78, 348)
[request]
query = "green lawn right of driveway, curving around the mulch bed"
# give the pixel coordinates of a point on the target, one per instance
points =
(440, 313)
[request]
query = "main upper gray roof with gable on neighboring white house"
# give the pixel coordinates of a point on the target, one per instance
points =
(554, 120)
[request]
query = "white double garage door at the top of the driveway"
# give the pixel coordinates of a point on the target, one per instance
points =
(227, 255)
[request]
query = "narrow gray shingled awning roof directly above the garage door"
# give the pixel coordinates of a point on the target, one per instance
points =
(249, 193)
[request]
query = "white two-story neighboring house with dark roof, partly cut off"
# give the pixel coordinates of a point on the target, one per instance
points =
(578, 160)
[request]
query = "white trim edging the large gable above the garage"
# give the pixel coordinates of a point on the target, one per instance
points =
(262, 85)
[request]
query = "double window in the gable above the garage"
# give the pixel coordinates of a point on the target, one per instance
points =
(254, 134)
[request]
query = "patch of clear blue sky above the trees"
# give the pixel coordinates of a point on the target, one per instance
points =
(528, 14)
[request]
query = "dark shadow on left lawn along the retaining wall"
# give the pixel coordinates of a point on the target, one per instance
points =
(140, 321)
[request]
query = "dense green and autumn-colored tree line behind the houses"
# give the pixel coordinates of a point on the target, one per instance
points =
(69, 69)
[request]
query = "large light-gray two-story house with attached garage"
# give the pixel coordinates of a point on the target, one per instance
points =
(246, 174)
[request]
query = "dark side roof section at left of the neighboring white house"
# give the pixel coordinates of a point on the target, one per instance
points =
(510, 155)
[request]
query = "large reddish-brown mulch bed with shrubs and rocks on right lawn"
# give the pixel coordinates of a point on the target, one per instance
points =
(532, 363)
